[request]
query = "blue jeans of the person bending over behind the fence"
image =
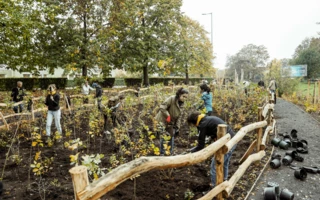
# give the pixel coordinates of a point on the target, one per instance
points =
(227, 157)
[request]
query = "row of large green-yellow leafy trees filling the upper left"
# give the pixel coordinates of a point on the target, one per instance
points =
(148, 36)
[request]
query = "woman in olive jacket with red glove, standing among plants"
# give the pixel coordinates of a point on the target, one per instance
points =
(169, 116)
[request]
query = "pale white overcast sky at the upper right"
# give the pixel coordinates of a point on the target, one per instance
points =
(279, 25)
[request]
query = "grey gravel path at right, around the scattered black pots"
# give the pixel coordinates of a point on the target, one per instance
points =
(288, 117)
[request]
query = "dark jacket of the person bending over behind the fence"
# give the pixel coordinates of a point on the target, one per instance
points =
(208, 126)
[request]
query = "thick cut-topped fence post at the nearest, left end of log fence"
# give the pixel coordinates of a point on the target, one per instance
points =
(80, 179)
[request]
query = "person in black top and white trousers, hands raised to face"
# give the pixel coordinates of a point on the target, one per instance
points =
(52, 101)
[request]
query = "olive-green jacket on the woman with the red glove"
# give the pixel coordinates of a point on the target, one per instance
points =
(170, 107)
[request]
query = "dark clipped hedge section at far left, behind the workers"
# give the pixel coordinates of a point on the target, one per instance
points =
(6, 84)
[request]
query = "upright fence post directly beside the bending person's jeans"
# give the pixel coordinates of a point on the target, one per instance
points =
(219, 158)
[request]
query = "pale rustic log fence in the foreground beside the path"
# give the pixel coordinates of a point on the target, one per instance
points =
(223, 189)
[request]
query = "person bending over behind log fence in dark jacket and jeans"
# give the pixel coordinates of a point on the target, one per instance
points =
(208, 126)
